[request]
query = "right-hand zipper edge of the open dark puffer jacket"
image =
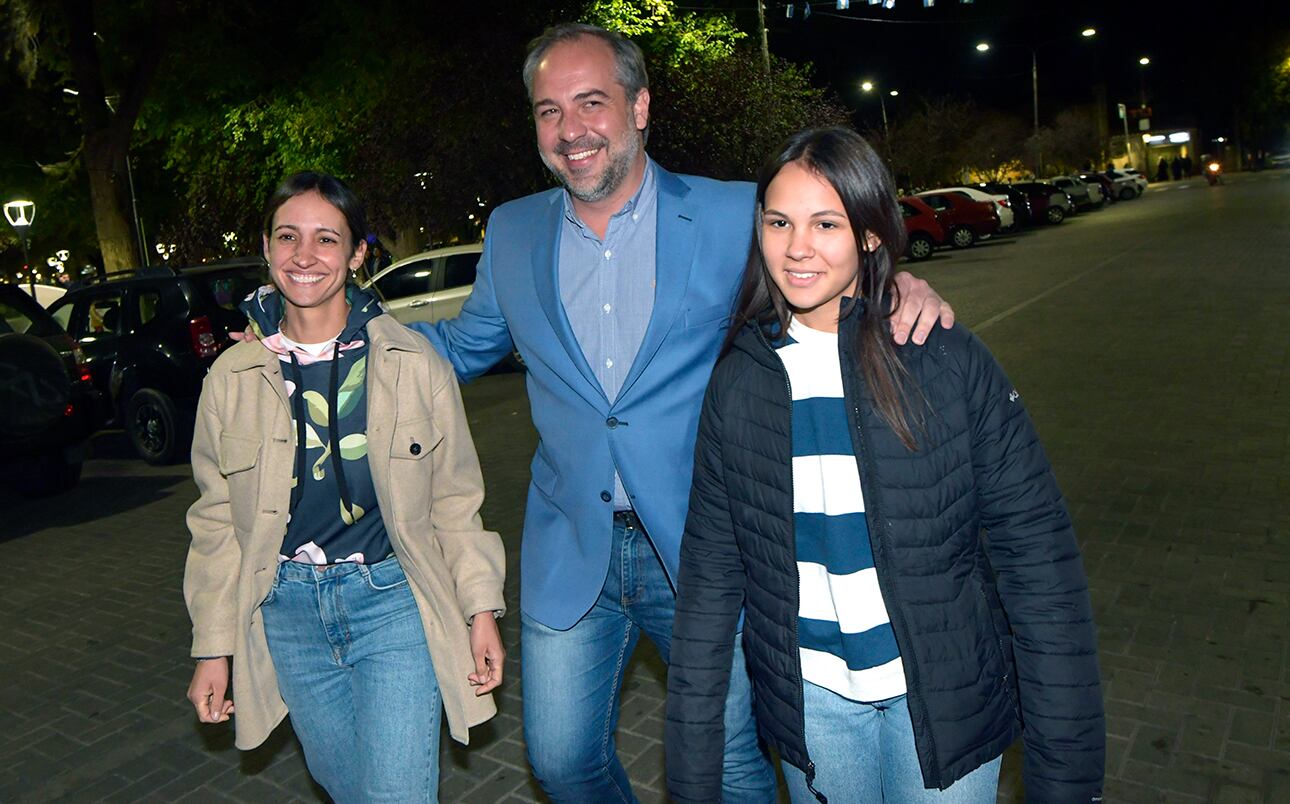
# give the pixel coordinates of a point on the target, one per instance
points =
(852, 392)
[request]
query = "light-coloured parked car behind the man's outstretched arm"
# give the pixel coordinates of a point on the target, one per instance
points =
(432, 286)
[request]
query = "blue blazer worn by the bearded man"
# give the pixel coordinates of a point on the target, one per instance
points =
(648, 433)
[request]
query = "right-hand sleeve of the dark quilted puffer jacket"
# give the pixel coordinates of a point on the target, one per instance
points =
(1044, 590)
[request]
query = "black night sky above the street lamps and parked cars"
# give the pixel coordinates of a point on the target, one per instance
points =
(1200, 54)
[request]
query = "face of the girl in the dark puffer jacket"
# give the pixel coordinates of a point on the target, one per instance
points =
(809, 246)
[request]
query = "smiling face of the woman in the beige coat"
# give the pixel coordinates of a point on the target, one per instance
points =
(310, 254)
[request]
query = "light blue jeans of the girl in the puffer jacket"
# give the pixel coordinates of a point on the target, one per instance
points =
(865, 753)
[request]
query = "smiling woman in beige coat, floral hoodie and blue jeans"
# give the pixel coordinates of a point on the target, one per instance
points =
(339, 561)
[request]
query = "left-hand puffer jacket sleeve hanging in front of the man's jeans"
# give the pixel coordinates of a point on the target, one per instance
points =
(709, 601)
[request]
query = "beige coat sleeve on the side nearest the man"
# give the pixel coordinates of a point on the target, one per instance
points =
(475, 557)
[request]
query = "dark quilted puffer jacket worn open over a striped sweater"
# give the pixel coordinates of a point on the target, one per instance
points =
(963, 606)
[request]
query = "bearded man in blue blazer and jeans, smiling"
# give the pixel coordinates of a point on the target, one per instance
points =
(616, 288)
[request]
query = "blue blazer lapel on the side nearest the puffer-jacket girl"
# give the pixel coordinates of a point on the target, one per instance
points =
(674, 252)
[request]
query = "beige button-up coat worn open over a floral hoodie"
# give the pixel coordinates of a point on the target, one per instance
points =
(429, 485)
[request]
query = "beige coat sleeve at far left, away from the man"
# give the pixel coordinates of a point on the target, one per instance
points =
(215, 557)
